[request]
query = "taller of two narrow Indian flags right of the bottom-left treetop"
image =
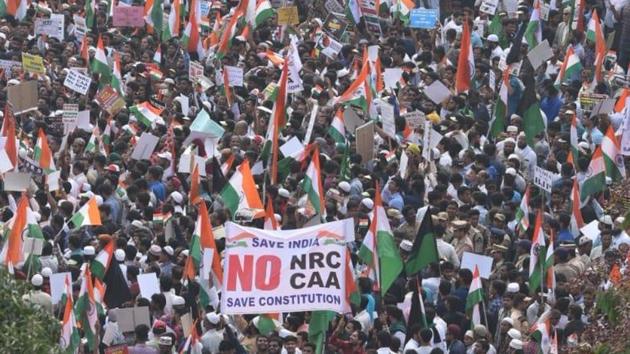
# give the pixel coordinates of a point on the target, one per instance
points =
(85, 308)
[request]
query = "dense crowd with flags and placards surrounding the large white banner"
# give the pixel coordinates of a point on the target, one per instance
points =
(496, 135)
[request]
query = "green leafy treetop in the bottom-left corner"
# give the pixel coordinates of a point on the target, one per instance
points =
(24, 328)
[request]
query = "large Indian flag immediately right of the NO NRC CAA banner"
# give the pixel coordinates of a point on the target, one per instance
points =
(378, 250)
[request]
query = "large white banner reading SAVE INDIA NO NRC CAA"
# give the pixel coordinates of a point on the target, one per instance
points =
(285, 271)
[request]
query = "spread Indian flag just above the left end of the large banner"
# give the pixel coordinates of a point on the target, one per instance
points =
(241, 193)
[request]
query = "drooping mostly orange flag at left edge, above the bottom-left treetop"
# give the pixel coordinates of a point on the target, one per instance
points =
(12, 252)
